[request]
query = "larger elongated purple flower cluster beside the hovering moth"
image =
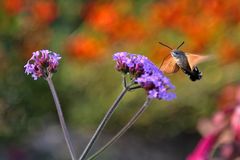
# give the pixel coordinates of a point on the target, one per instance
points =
(146, 74)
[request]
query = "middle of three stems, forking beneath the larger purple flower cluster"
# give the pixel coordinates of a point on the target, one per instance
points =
(104, 121)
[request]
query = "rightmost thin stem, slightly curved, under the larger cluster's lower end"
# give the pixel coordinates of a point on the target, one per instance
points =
(123, 130)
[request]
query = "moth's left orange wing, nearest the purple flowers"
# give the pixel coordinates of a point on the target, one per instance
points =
(169, 65)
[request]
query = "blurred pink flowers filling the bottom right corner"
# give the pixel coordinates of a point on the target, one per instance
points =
(224, 126)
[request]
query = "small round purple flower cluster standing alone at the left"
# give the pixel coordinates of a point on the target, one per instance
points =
(42, 64)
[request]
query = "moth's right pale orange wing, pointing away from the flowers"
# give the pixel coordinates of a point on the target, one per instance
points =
(194, 59)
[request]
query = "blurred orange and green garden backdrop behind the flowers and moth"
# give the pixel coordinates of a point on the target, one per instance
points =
(87, 34)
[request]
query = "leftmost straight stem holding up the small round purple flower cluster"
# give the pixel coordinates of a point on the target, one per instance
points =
(61, 118)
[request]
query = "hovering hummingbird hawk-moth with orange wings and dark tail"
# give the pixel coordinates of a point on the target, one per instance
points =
(184, 61)
